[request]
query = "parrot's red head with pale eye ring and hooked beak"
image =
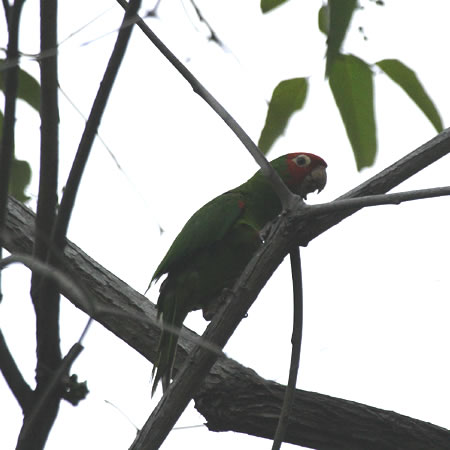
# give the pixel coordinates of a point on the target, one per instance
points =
(305, 173)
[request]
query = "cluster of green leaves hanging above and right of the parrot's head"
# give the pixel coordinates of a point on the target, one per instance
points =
(351, 80)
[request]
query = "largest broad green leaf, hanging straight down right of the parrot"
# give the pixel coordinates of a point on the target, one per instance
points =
(352, 87)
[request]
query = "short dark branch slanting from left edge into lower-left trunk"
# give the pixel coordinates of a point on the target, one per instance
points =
(16, 382)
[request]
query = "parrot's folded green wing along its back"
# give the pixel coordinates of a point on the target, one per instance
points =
(208, 225)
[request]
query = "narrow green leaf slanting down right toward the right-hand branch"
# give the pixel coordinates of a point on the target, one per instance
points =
(408, 81)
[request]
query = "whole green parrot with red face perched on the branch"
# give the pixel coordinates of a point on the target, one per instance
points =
(216, 244)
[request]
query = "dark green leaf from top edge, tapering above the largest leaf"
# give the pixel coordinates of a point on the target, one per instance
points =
(340, 13)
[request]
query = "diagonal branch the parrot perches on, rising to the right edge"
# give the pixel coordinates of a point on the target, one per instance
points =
(285, 232)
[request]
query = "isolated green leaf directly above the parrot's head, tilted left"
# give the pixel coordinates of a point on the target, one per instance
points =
(288, 97)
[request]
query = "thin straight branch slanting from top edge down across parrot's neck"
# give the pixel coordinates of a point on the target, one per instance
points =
(283, 192)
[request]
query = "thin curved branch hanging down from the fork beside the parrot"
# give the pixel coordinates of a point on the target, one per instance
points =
(297, 331)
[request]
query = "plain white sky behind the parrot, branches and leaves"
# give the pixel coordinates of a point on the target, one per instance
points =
(376, 286)
